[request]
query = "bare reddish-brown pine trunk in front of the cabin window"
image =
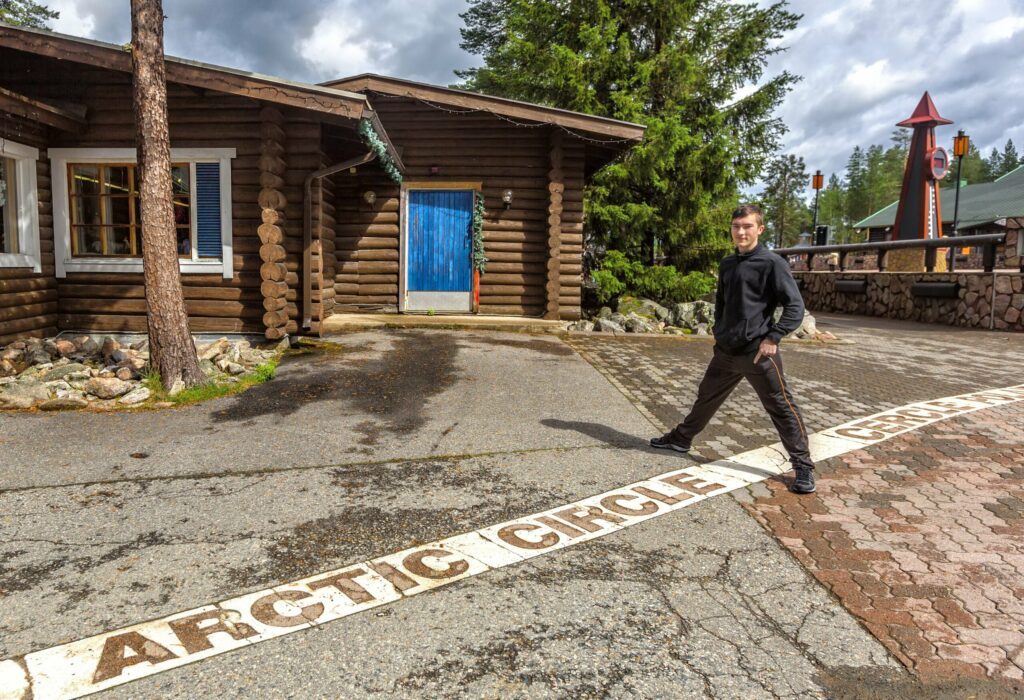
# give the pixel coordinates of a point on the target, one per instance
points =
(173, 354)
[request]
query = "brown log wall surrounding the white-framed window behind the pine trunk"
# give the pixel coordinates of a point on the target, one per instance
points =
(116, 302)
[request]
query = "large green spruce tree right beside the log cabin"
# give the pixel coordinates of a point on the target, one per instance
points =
(675, 66)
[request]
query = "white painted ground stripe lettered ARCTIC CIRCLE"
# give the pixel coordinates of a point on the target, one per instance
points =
(90, 666)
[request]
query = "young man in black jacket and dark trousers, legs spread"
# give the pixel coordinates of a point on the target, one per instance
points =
(751, 284)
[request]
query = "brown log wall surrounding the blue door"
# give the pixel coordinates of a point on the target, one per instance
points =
(468, 148)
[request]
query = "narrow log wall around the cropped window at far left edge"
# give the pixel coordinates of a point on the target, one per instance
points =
(28, 299)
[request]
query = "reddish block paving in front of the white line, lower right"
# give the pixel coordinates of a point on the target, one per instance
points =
(922, 539)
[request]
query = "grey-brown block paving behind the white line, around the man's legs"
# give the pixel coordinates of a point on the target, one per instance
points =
(882, 365)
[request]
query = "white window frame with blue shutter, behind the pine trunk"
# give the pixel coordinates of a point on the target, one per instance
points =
(65, 264)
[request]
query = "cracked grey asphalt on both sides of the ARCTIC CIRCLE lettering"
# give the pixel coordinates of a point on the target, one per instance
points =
(388, 441)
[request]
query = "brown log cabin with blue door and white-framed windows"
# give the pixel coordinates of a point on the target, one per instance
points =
(292, 201)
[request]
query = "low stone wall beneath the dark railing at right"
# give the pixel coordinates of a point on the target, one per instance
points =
(889, 295)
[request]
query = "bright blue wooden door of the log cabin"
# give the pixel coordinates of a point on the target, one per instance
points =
(440, 244)
